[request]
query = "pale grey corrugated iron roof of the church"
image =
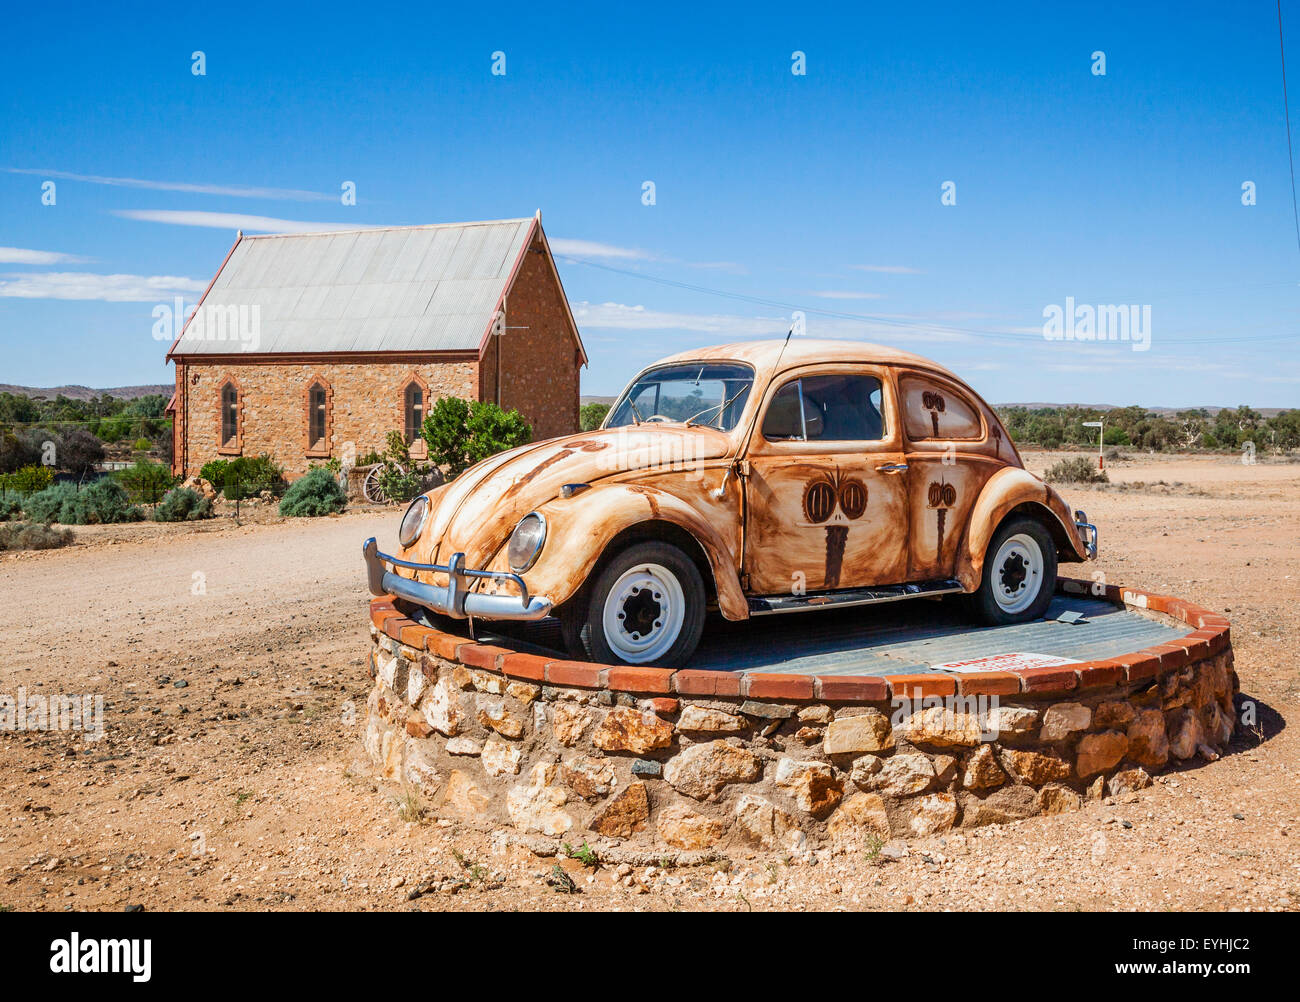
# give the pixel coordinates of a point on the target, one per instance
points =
(397, 289)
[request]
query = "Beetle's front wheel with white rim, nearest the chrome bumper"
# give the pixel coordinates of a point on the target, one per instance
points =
(647, 606)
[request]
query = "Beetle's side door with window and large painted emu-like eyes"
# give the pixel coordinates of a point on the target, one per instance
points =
(826, 504)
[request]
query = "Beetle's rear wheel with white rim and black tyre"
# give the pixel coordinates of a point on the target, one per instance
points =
(1020, 574)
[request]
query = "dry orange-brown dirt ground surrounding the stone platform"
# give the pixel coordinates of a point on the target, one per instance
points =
(231, 777)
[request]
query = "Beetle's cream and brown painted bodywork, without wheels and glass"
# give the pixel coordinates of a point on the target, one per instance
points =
(764, 518)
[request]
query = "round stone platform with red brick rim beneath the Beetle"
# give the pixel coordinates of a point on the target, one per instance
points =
(830, 738)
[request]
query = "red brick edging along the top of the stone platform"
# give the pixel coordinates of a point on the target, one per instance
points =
(1210, 637)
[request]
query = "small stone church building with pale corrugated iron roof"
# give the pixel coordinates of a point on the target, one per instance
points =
(310, 346)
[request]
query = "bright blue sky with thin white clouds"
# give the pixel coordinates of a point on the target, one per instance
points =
(774, 192)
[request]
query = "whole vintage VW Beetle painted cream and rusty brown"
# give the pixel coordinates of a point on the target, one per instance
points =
(759, 479)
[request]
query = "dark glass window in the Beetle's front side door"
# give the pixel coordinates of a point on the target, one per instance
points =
(839, 407)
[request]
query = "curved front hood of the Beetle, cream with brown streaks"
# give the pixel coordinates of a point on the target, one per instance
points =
(476, 513)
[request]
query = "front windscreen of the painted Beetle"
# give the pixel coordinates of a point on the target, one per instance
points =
(709, 394)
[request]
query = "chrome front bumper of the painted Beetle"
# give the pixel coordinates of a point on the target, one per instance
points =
(454, 598)
